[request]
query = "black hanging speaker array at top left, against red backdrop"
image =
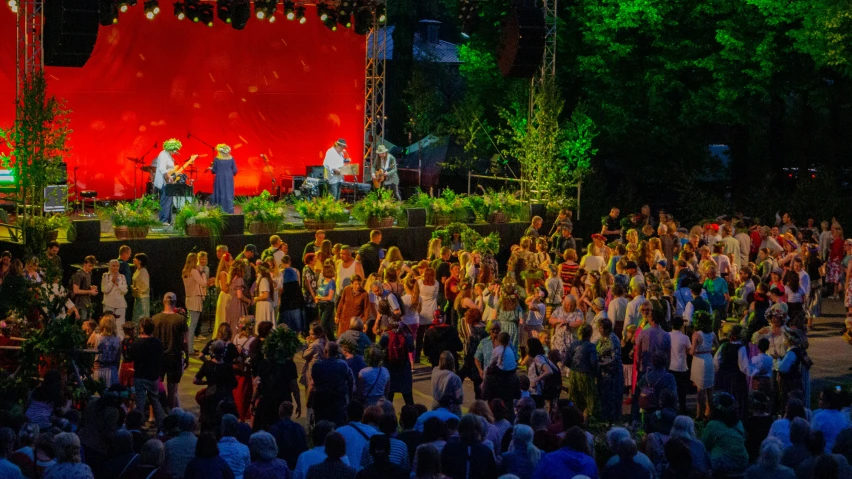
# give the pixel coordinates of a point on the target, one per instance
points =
(70, 32)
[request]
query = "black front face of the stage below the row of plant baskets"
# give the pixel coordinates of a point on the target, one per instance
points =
(166, 253)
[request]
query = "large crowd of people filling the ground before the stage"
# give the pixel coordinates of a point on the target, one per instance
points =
(645, 315)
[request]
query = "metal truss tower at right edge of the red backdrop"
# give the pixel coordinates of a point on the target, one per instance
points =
(374, 88)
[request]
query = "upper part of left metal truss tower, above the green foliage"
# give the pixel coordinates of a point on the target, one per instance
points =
(29, 54)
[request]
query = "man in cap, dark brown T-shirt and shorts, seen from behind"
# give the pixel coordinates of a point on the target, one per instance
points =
(171, 329)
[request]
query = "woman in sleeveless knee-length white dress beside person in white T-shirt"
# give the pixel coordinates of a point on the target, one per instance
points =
(703, 371)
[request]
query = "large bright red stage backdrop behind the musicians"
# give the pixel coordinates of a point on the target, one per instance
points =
(283, 89)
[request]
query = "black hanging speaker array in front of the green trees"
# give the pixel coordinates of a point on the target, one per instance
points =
(522, 42)
